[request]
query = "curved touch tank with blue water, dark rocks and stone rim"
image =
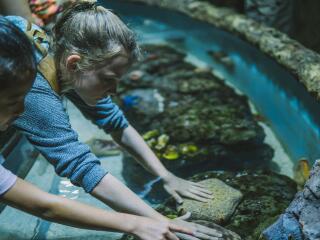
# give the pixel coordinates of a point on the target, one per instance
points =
(215, 103)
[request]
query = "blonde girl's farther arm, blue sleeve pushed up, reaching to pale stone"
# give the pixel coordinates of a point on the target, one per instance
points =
(108, 116)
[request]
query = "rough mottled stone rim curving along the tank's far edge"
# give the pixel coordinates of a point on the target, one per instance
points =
(283, 49)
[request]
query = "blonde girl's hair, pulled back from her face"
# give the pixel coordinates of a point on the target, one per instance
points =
(93, 32)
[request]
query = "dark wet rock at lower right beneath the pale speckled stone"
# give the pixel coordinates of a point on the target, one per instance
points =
(265, 196)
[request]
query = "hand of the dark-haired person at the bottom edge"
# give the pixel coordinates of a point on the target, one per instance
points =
(150, 229)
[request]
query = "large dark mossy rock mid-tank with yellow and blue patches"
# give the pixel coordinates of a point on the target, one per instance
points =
(201, 118)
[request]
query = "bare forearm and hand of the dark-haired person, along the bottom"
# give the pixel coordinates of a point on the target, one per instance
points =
(30, 199)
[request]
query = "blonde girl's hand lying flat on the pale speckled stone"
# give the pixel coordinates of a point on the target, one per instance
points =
(178, 187)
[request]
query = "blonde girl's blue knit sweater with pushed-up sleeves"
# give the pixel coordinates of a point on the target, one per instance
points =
(47, 126)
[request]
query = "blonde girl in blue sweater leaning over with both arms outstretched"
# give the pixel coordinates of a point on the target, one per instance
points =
(92, 48)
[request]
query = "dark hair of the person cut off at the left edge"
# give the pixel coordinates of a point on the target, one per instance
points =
(17, 60)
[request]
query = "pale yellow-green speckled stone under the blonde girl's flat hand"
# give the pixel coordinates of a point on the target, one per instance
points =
(217, 210)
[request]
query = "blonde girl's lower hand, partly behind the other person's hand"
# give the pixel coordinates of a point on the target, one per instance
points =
(199, 232)
